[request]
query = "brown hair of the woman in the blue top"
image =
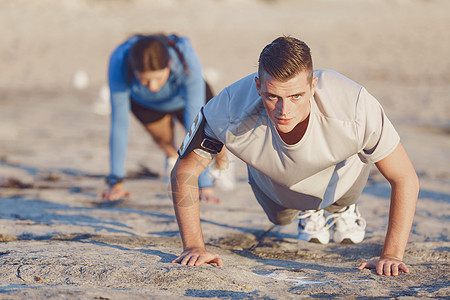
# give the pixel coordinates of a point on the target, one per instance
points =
(151, 53)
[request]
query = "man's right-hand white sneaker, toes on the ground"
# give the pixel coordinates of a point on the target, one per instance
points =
(349, 226)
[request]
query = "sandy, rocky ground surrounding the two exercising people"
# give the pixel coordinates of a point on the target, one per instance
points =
(57, 240)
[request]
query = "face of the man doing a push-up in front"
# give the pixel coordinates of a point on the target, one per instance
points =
(287, 103)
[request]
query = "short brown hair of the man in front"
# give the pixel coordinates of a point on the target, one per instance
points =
(284, 58)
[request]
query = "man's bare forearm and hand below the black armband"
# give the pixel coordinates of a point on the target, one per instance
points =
(185, 195)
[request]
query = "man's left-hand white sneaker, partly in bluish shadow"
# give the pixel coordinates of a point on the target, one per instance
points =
(313, 227)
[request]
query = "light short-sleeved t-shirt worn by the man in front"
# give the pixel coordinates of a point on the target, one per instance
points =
(347, 130)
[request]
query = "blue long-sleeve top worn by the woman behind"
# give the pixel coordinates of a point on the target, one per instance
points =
(180, 91)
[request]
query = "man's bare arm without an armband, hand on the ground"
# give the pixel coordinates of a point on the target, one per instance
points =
(399, 171)
